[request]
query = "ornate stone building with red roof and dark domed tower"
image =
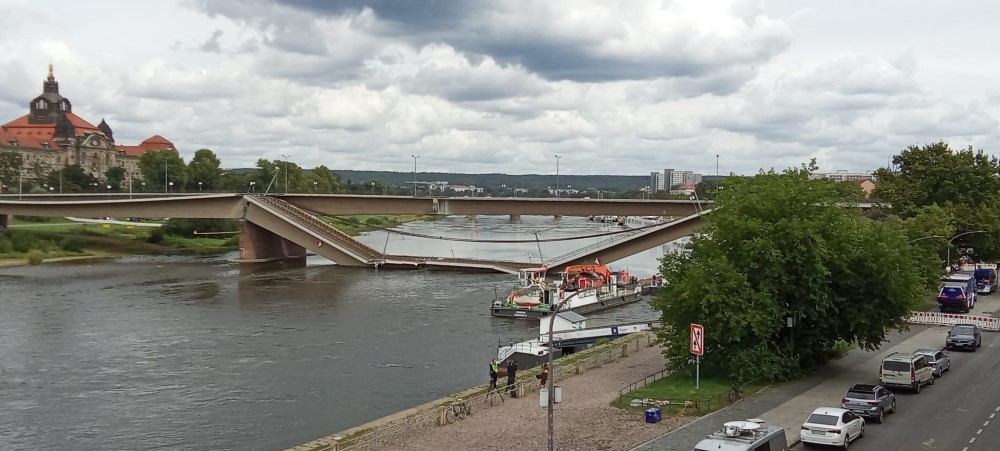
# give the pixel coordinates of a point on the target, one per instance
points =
(51, 137)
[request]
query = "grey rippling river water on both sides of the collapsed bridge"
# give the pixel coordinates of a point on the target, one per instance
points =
(202, 353)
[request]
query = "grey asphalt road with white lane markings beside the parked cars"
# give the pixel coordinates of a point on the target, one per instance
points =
(960, 412)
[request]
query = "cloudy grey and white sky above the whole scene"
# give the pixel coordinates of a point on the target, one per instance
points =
(483, 86)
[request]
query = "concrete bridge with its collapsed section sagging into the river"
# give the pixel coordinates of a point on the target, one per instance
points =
(286, 226)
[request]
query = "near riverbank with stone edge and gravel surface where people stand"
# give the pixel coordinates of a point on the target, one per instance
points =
(585, 419)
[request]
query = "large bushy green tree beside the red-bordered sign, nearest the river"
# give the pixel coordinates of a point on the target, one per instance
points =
(779, 246)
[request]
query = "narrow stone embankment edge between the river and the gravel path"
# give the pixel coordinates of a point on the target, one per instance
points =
(432, 414)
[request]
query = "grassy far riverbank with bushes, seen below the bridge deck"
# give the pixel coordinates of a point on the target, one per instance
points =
(37, 240)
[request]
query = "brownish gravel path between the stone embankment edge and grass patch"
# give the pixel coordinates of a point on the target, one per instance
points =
(584, 420)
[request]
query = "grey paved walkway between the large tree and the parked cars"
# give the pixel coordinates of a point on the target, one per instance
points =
(784, 404)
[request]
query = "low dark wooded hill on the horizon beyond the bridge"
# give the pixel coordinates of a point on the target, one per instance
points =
(617, 183)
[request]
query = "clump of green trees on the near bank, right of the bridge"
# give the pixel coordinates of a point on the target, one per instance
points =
(789, 269)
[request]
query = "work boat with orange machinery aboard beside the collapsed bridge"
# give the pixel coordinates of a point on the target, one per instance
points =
(581, 289)
